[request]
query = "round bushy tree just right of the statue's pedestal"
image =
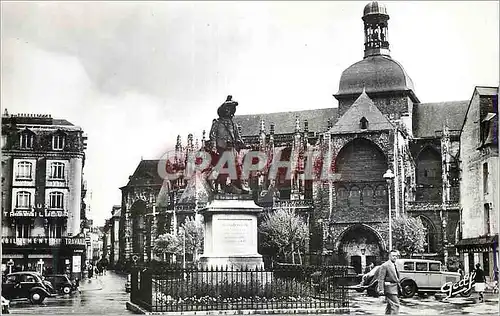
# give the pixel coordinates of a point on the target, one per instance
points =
(284, 232)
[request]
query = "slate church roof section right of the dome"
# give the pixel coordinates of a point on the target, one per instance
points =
(430, 117)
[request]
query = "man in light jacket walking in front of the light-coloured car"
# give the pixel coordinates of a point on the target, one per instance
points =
(388, 283)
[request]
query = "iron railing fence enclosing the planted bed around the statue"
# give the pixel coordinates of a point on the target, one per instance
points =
(179, 289)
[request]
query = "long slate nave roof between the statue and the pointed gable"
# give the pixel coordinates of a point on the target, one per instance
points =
(284, 122)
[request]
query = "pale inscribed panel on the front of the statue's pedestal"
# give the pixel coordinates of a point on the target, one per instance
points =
(235, 235)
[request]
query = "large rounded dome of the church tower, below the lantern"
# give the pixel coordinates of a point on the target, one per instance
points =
(375, 74)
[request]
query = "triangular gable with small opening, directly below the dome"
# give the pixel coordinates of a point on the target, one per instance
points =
(362, 107)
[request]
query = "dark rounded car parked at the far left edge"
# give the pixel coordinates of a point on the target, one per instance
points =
(25, 285)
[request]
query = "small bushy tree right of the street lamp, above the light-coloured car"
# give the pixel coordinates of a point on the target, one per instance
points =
(408, 234)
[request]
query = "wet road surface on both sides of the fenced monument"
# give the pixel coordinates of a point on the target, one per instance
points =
(106, 296)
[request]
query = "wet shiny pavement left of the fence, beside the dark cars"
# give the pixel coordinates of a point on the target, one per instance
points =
(104, 295)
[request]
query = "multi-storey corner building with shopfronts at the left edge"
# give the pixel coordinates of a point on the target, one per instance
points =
(42, 193)
